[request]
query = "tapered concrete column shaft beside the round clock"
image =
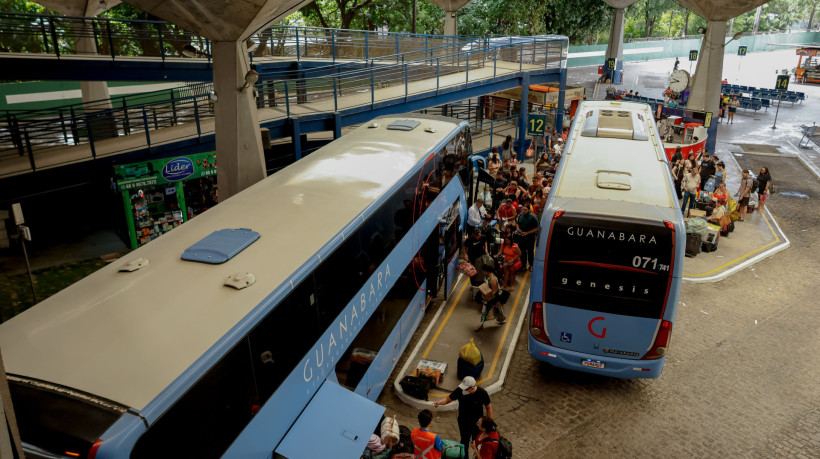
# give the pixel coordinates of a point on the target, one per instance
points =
(705, 88)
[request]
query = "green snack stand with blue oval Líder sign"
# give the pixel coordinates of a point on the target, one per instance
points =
(159, 195)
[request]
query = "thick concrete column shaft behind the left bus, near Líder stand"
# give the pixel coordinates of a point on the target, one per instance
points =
(240, 157)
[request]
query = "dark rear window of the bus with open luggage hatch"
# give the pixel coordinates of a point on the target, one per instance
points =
(57, 422)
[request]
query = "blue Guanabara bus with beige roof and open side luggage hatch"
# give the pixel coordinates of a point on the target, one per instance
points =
(265, 327)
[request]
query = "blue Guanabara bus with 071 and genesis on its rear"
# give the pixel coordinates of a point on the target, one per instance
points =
(609, 261)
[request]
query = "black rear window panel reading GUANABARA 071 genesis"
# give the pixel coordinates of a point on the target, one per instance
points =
(611, 265)
